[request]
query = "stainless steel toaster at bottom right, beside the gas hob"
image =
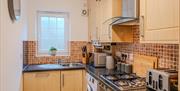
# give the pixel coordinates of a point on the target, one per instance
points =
(162, 79)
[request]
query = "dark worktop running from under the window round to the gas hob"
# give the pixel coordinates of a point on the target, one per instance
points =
(95, 72)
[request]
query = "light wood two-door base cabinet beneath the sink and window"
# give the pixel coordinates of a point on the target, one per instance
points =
(69, 80)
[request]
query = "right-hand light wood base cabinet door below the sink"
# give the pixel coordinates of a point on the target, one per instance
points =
(71, 80)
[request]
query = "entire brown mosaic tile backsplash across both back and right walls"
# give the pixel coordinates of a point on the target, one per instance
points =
(168, 54)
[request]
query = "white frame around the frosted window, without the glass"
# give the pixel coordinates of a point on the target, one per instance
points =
(64, 15)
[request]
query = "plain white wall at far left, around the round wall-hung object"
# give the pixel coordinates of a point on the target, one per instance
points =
(11, 36)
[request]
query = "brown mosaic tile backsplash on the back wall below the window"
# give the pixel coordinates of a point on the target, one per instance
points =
(30, 57)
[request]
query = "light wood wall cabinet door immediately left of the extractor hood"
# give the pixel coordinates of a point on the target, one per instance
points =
(110, 8)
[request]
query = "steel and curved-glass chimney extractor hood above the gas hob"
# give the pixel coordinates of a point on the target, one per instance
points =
(130, 14)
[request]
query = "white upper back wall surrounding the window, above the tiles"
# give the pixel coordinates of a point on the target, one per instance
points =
(78, 23)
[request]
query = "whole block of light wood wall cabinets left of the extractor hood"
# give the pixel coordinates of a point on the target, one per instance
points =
(100, 13)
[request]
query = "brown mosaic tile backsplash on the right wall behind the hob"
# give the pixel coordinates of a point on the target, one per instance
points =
(167, 54)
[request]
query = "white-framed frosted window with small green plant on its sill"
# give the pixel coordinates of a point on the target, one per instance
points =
(53, 31)
